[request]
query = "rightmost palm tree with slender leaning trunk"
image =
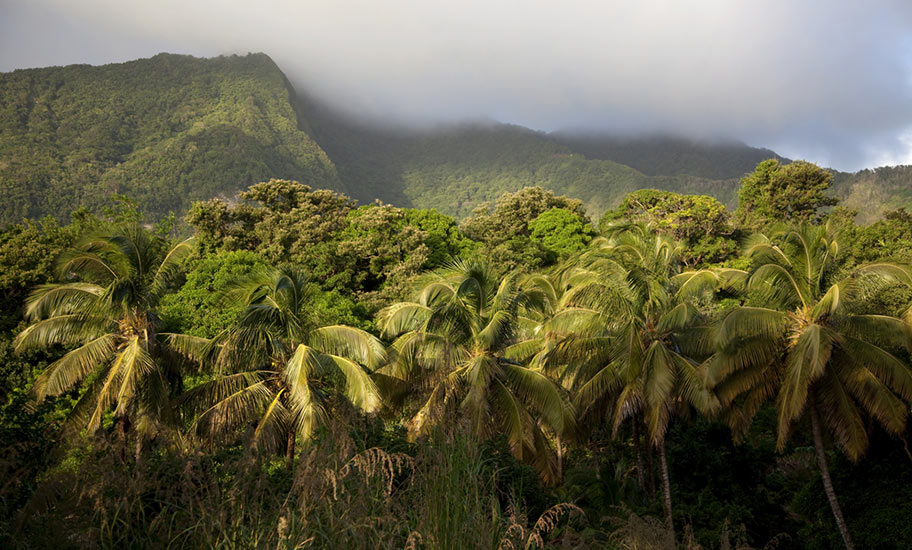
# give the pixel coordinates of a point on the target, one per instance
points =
(803, 339)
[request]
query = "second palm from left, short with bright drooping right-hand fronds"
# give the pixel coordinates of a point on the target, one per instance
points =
(278, 367)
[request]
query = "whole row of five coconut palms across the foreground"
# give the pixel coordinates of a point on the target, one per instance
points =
(620, 334)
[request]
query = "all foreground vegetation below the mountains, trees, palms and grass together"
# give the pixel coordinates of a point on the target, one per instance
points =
(629, 370)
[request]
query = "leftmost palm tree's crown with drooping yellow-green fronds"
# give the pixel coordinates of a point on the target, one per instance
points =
(113, 281)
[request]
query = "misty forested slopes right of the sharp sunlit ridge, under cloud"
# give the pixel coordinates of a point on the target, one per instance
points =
(456, 168)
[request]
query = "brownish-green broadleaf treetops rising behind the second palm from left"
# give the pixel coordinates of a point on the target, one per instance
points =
(370, 252)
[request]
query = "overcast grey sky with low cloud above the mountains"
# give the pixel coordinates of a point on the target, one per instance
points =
(829, 81)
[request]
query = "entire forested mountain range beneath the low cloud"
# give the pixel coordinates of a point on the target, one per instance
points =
(172, 129)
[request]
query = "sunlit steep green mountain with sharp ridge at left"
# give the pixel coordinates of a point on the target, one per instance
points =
(165, 131)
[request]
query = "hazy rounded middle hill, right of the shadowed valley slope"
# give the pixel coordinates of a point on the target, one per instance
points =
(462, 167)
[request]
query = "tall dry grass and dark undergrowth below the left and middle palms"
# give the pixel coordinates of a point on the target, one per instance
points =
(445, 496)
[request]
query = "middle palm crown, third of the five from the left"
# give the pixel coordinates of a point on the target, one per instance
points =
(450, 350)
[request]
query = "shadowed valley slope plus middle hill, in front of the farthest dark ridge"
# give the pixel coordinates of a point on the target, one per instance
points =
(456, 168)
